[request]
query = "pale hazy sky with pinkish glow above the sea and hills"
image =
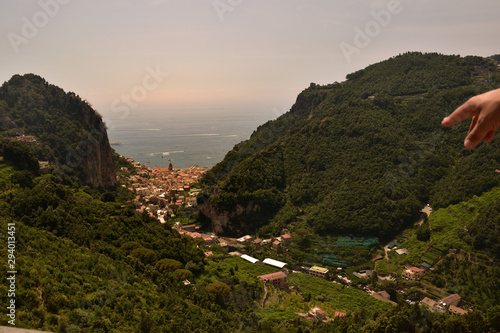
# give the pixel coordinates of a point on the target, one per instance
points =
(242, 54)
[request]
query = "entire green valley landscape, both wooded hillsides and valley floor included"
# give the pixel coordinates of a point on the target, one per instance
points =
(363, 214)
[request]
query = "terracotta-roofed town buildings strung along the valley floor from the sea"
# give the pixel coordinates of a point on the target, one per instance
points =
(160, 192)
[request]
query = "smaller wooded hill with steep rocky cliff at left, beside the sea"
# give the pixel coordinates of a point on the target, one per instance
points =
(68, 131)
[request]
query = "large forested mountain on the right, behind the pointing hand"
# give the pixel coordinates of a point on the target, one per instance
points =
(359, 157)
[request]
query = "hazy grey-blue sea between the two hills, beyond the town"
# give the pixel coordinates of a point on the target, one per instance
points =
(184, 137)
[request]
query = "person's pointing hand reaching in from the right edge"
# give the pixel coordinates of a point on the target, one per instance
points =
(485, 112)
